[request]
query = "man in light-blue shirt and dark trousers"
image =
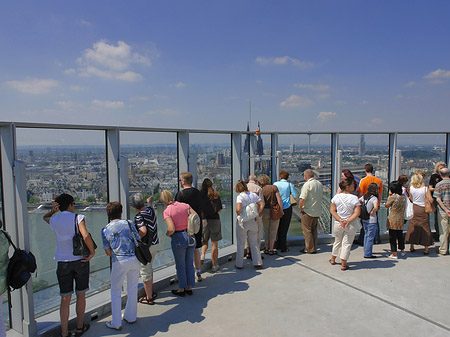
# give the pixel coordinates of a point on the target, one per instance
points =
(286, 189)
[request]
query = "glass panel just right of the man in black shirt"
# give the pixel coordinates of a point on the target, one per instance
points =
(211, 157)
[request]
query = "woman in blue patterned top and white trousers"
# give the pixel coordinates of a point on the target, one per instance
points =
(119, 240)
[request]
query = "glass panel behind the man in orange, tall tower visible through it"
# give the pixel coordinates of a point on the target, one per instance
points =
(360, 149)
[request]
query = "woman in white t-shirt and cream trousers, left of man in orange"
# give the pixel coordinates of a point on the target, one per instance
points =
(345, 209)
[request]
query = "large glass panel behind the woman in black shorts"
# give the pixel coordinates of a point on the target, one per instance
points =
(63, 161)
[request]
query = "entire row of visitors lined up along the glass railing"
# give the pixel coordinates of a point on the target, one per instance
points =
(260, 207)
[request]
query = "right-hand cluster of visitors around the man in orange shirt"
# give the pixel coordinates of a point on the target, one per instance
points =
(354, 199)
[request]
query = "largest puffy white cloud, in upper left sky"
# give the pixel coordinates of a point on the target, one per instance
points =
(111, 62)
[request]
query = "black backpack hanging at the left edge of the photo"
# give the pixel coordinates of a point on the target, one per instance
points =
(21, 265)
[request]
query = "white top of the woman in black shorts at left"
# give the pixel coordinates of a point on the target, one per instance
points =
(63, 225)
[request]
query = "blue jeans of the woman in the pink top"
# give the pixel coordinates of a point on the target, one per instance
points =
(183, 247)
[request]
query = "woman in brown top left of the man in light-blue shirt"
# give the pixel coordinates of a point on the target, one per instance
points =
(271, 199)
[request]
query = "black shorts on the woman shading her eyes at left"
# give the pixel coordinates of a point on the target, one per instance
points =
(67, 272)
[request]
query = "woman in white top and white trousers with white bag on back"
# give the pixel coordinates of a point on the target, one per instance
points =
(249, 228)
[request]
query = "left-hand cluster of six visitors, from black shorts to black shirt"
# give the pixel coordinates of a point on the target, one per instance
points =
(120, 239)
